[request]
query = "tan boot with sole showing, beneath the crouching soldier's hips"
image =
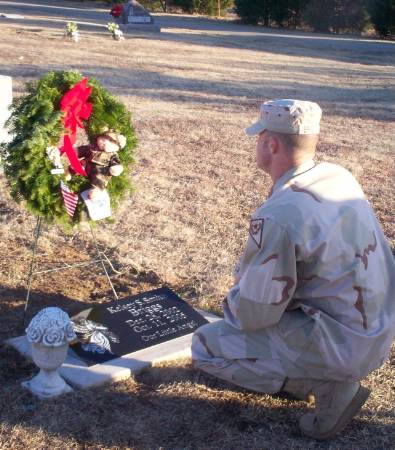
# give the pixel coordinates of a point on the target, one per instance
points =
(336, 403)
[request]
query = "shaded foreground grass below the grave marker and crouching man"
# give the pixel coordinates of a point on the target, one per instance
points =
(169, 408)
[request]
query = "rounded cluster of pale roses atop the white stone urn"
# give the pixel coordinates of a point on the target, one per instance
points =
(50, 327)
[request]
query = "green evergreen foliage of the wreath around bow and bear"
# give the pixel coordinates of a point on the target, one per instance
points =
(36, 123)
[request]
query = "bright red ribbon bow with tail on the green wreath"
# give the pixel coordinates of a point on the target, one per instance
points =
(76, 108)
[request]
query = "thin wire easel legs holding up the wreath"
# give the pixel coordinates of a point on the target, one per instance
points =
(100, 258)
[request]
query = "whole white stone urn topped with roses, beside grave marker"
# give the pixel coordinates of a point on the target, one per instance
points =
(49, 333)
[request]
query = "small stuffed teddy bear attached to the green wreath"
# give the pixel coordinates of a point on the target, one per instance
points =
(101, 161)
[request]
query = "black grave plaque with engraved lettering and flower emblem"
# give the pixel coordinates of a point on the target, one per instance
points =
(115, 329)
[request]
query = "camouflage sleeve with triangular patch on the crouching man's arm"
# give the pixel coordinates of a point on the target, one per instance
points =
(267, 278)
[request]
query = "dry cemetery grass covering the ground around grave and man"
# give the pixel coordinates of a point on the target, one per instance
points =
(192, 89)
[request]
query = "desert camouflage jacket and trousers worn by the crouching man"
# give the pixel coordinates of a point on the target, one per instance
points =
(316, 293)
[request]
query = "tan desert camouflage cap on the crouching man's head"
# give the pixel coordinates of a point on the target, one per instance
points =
(287, 116)
